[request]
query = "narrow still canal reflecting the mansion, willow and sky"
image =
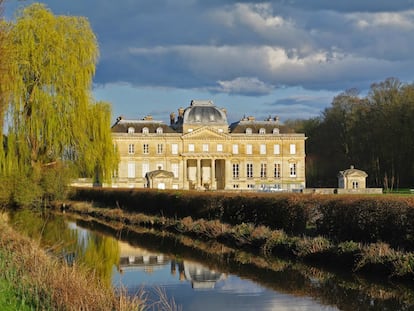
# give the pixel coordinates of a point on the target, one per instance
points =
(199, 275)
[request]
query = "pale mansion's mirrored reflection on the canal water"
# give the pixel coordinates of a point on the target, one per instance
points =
(136, 258)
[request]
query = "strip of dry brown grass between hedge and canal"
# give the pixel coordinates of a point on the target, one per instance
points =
(372, 258)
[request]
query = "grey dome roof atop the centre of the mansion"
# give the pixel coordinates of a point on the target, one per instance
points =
(204, 112)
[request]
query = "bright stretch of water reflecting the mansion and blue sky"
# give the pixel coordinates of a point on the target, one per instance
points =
(195, 286)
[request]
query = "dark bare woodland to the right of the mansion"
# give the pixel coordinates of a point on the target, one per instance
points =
(374, 133)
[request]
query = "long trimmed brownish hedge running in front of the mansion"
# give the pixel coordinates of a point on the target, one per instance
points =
(359, 218)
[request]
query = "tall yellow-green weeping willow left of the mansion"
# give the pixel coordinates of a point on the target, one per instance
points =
(52, 114)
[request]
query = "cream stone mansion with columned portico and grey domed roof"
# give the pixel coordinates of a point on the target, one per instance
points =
(203, 152)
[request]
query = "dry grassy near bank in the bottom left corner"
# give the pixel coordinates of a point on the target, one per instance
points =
(31, 279)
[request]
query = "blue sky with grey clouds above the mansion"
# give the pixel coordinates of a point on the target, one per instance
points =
(286, 58)
